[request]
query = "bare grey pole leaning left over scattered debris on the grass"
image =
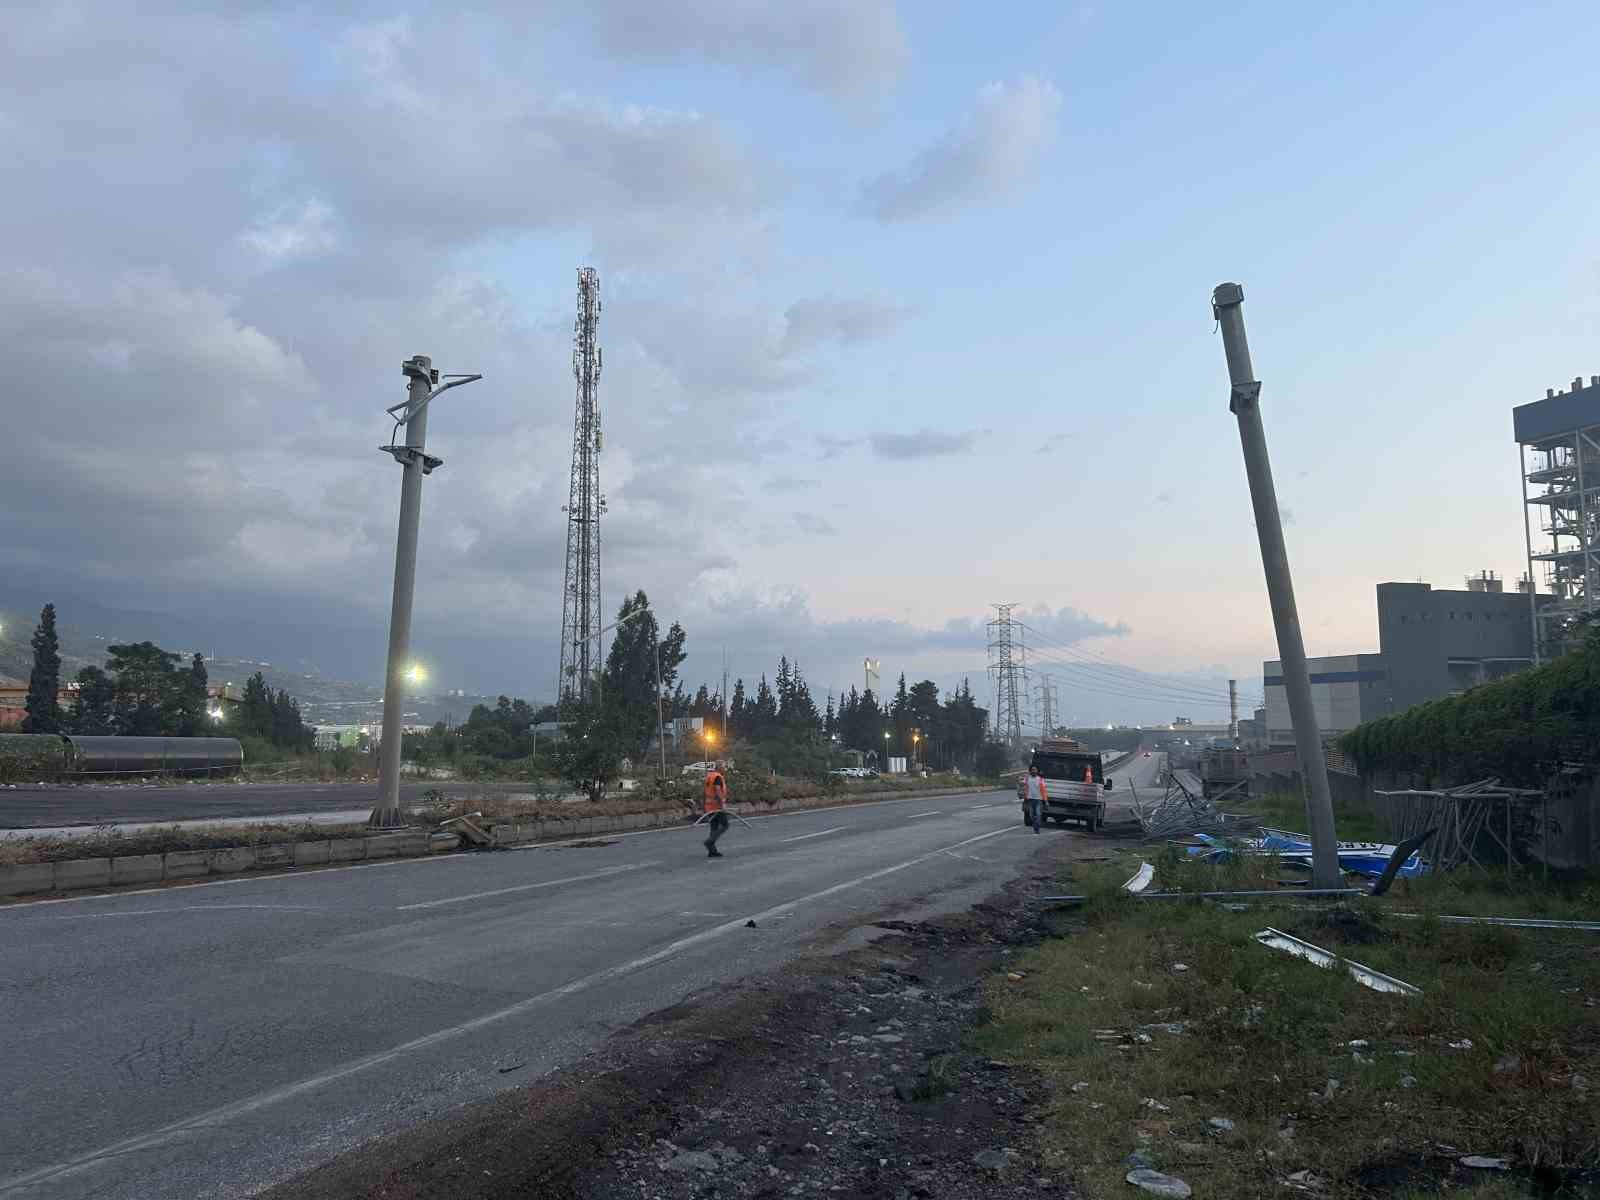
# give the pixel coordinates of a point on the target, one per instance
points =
(1246, 404)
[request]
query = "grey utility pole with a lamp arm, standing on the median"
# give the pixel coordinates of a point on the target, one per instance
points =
(412, 457)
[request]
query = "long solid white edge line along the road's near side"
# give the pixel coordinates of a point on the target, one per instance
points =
(231, 1113)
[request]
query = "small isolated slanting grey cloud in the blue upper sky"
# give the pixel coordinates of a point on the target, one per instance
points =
(988, 153)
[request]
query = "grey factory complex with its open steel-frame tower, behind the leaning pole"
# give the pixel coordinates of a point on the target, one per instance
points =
(1441, 642)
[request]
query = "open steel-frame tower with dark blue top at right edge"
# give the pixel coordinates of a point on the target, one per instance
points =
(1559, 444)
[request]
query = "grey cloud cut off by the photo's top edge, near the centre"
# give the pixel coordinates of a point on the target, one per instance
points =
(847, 49)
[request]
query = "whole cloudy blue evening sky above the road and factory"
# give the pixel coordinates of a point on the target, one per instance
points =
(906, 314)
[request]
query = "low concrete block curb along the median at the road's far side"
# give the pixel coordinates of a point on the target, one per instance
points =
(30, 879)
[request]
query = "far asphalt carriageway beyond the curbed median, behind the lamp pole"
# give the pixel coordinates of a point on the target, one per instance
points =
(134, 804)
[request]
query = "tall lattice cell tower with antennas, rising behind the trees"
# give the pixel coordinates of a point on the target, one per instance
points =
(582, 620)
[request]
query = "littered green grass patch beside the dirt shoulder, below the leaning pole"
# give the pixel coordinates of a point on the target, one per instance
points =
(1154, 1017)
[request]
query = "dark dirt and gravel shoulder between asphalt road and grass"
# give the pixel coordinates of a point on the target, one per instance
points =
(846, 1074)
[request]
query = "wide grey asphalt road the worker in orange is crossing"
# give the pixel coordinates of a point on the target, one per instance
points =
(212, 1041)
